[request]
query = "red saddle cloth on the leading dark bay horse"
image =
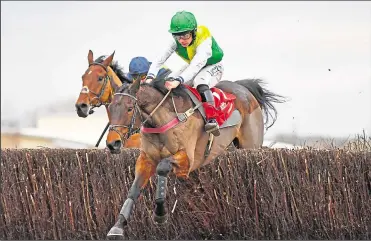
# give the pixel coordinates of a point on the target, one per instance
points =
(224, 104)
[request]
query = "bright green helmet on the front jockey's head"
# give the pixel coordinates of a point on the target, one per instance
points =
(182, 22)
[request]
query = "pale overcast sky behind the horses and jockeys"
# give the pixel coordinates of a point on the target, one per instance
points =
(316, 53)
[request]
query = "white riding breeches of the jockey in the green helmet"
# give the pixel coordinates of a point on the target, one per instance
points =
(209, 75)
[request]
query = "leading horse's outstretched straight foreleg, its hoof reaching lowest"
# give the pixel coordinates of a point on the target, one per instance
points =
(144, 169)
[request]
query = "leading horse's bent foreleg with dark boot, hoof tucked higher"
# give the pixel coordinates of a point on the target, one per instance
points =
(163, 169)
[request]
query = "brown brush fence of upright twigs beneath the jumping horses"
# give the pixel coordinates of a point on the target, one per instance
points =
(264, 194)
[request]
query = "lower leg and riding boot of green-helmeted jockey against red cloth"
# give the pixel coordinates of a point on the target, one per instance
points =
(207, 96)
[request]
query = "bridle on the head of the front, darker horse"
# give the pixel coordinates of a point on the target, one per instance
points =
(131, 129)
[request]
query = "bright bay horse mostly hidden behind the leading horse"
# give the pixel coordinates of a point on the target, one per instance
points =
(98, 81)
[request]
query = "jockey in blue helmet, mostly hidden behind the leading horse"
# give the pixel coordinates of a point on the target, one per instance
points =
(138, 68)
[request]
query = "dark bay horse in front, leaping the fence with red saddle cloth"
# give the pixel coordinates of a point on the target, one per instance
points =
(173, 136)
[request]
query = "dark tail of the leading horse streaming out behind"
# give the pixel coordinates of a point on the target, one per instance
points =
(265, 97)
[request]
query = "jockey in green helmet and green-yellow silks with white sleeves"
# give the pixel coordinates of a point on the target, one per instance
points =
(196, 46)
